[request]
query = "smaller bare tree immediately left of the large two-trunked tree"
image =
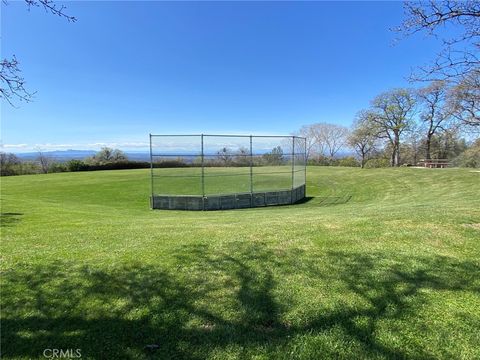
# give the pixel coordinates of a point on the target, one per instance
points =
(363, 138)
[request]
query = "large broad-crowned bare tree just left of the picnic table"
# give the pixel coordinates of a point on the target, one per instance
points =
(392, 115)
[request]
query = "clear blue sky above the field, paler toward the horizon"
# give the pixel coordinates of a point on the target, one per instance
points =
(126, 69)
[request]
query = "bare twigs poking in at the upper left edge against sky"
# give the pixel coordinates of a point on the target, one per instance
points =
(12, 83)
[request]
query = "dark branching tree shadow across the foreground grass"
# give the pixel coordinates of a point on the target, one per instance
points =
(216, 300)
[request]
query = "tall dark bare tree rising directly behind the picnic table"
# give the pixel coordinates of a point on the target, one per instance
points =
(435, 114)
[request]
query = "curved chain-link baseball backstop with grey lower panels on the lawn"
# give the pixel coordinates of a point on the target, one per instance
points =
(213, 172)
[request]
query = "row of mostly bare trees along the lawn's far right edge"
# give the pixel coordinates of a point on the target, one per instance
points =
(401, 127)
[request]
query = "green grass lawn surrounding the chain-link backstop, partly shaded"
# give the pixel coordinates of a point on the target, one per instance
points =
(377, 264)
